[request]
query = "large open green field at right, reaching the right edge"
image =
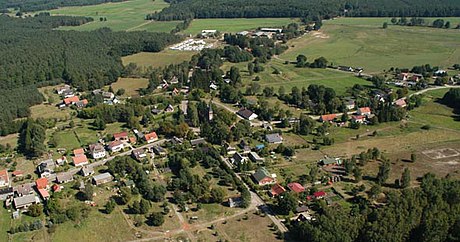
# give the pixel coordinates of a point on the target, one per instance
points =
(361, 42)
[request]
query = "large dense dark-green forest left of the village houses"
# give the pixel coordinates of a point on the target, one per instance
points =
(34, 55)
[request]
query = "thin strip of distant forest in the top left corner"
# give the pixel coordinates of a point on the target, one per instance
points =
(37, 5)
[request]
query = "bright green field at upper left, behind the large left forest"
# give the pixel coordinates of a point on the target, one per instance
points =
(127, 15)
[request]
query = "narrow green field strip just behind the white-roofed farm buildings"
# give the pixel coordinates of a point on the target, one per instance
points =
(236, 25)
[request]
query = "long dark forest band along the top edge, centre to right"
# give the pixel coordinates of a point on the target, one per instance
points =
(309, 9)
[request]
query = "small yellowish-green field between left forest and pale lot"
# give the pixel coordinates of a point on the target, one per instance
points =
(159, 59)
